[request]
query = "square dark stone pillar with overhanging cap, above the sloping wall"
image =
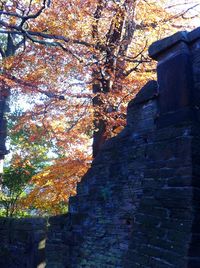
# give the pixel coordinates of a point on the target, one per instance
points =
(175, 81)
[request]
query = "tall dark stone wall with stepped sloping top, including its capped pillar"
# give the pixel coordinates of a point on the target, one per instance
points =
(139, 204)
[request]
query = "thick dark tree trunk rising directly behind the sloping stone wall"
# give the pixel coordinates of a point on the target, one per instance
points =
(110, 72)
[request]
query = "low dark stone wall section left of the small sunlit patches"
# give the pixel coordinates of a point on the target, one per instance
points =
(22, 243)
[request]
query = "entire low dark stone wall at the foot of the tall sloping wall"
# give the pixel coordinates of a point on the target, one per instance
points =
(23, 242)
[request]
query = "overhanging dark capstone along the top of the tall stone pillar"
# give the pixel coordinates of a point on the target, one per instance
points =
(161, 46)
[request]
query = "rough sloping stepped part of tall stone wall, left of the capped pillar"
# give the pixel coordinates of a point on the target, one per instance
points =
(103, 212)
